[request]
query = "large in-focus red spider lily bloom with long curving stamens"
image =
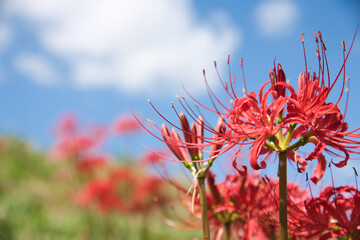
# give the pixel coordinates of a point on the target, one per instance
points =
(291, 119)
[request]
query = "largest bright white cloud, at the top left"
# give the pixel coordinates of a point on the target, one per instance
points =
(134, 45)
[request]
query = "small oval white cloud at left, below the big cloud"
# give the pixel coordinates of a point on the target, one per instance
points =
(36, 68)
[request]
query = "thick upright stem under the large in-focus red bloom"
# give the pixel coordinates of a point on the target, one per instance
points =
(283, 196)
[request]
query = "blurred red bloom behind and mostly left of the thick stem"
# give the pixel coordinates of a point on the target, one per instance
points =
(246, 206)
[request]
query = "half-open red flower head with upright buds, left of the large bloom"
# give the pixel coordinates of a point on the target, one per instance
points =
(190, 148)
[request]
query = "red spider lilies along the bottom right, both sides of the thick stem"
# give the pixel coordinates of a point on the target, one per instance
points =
(248, 206)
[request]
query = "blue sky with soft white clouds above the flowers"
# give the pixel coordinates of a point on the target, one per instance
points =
(98, 59)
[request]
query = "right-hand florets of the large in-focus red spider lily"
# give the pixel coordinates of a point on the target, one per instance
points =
(320, 122)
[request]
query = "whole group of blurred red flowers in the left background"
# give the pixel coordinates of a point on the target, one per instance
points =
(105, 185)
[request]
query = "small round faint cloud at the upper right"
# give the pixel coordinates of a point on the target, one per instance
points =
(276, 18)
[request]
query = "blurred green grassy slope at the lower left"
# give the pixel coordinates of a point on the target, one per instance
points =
(36, 204)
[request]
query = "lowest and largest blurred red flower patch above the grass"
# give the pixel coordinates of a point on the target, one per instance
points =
(123, 191)
